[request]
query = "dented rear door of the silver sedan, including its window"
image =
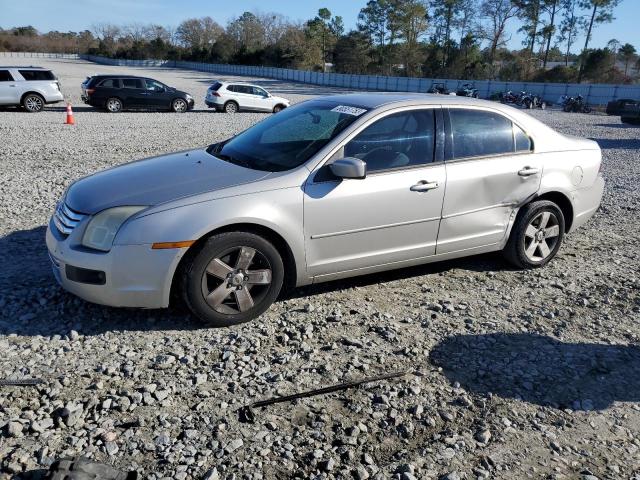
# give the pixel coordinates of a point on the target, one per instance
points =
(491, 169)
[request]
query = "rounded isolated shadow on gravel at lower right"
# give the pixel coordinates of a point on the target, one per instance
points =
(541, 370)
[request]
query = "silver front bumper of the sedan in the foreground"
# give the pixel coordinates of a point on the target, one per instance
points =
(133, 275)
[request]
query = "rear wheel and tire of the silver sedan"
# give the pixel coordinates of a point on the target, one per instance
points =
(524, 248)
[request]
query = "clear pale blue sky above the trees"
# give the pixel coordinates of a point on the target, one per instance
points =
(78, 15)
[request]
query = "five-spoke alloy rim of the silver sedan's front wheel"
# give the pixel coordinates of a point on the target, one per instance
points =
(236, 280)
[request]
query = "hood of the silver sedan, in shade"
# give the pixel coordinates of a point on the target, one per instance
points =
(157, 180)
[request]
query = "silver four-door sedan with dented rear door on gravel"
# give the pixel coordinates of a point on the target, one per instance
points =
(330, 188)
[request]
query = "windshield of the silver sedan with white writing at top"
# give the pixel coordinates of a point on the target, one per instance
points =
(288, 139)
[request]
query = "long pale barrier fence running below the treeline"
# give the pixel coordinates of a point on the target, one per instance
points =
(595, 94)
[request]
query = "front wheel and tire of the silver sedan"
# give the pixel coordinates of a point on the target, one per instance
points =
(221, 266)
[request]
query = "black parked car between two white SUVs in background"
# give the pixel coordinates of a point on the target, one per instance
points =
(115, 93)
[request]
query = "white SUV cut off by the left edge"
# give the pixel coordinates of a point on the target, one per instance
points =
(31, 87)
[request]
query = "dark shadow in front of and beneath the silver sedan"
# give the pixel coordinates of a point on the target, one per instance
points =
(40, 307)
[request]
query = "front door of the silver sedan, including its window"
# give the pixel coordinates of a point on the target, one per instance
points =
(390, 216)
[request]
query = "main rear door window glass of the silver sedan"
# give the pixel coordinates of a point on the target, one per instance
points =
(477, 133)
